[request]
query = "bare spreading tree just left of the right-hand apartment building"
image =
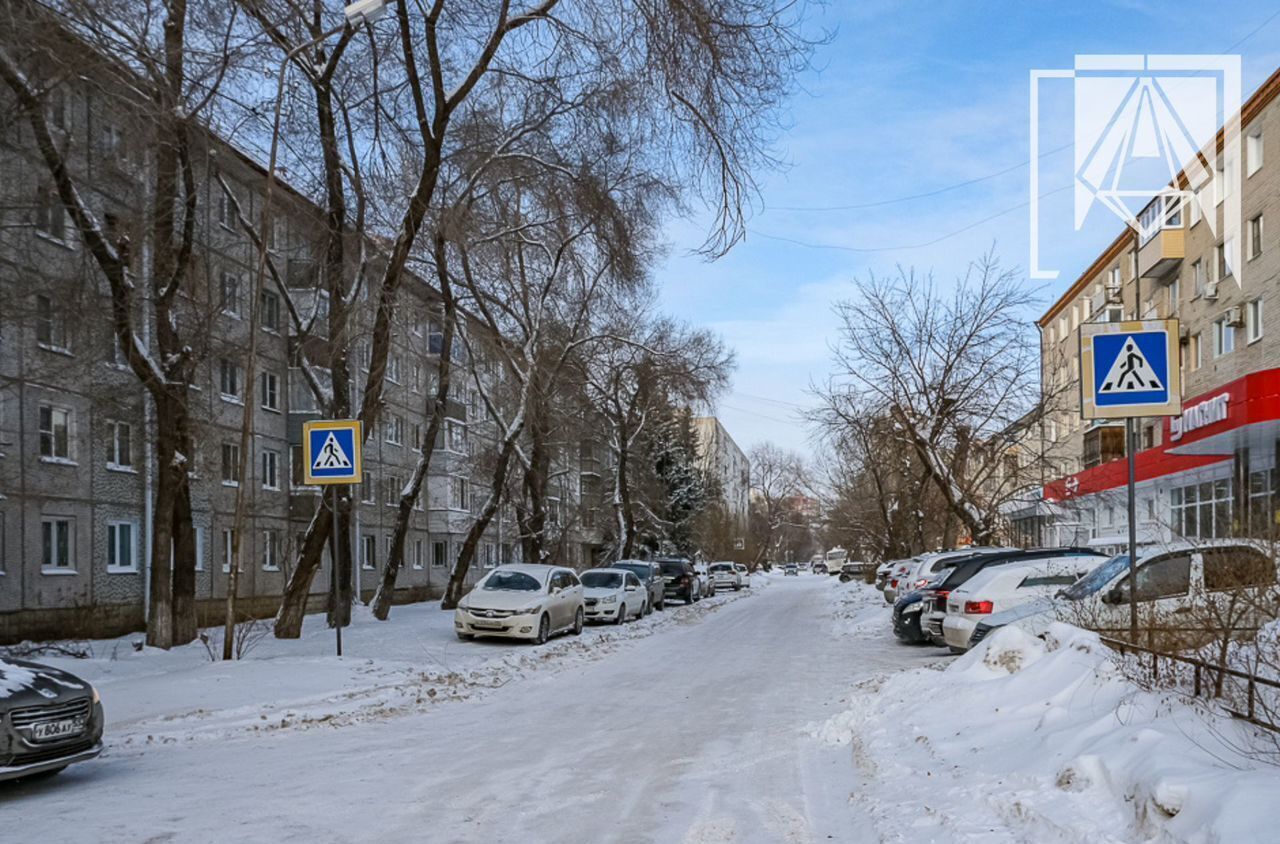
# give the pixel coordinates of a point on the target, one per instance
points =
(953, 371)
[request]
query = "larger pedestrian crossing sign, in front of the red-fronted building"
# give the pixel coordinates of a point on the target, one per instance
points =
(1131, 369)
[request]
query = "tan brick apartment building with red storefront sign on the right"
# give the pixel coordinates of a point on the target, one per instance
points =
(1213, 471)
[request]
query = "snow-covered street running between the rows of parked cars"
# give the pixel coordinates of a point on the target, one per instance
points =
(696, 733)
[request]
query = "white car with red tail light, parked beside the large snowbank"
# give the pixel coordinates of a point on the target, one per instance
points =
(1004, 588)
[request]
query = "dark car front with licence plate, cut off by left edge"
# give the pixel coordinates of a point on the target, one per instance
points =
(49, 719)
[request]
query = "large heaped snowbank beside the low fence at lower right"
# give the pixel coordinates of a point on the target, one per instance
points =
(1030, 740)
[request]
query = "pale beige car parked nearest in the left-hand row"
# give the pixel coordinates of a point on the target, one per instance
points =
(523, 603)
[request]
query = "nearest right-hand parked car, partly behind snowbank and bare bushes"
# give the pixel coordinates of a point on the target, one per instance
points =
(1172, 578)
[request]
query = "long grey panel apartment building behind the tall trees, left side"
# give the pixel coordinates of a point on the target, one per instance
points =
(76, 467)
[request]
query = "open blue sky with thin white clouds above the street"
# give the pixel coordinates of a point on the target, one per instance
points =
(908, 99)
